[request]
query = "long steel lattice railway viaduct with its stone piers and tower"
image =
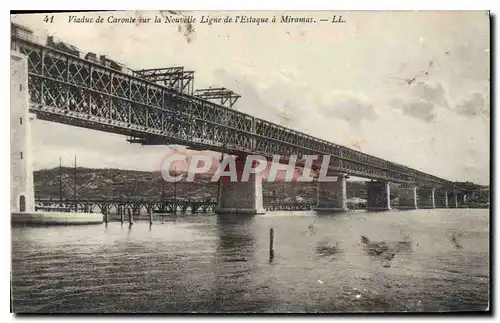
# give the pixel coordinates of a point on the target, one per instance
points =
(56, 82)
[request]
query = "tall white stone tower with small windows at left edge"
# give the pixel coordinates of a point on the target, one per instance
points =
(21, 169)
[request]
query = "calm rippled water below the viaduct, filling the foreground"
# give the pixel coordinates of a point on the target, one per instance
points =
(221, 264)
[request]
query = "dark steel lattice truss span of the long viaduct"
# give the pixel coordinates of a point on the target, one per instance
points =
(69, 89)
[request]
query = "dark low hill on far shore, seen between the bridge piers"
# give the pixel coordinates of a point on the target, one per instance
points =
(118, 183)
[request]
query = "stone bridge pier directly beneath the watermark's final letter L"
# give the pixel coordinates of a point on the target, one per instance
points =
(332, 196)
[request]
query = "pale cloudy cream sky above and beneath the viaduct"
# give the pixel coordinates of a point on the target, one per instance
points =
(407, 86)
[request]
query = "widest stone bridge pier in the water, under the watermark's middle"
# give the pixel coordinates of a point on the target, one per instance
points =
(241, 197)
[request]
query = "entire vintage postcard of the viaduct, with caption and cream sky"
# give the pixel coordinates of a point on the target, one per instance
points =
(250, 162)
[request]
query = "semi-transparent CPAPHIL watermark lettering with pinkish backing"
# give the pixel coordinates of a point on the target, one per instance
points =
(178, 167)
